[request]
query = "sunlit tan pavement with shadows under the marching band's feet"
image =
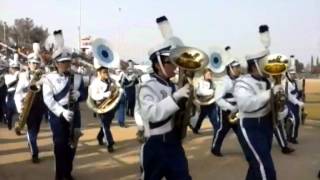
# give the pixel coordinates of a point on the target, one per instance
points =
(94, 162)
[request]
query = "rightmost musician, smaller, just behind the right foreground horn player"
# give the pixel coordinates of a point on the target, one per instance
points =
(294, 104)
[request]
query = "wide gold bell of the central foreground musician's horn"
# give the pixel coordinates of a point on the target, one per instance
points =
(189, 58)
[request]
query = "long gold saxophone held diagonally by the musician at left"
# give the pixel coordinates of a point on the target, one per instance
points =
(28, 101)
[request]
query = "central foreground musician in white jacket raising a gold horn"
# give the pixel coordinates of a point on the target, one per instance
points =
(162, 155)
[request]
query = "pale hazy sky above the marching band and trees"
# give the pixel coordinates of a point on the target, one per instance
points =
(130, 24)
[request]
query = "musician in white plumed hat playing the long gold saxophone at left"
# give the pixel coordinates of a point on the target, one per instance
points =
(37, 106)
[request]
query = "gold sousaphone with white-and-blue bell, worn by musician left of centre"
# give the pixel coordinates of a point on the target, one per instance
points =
(105, 56)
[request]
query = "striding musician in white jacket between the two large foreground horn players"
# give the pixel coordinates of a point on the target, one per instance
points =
(227, 106)
